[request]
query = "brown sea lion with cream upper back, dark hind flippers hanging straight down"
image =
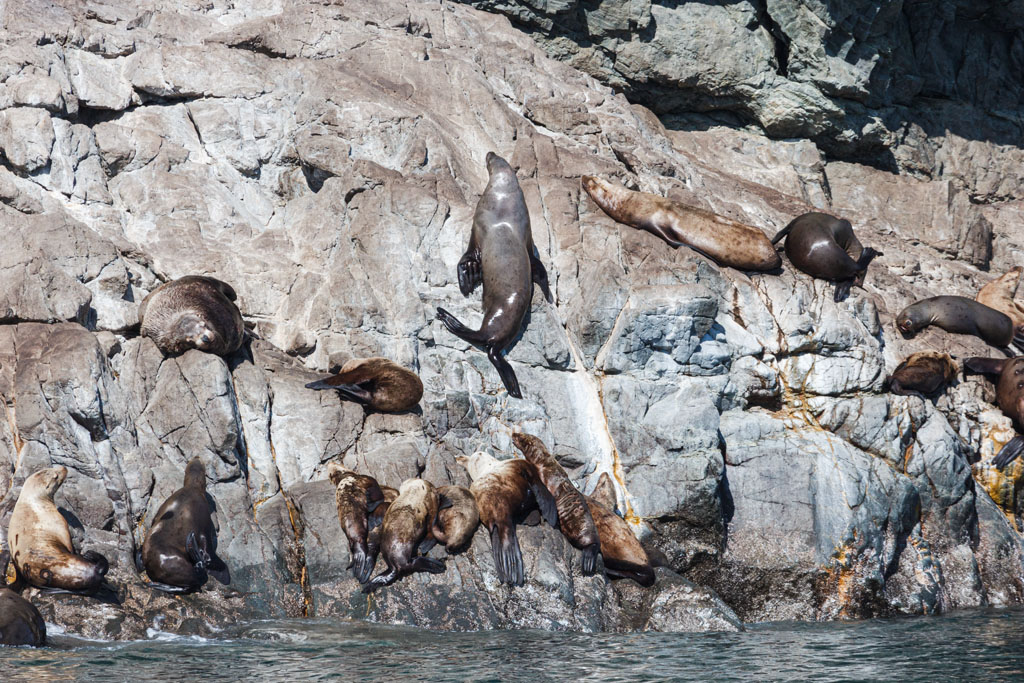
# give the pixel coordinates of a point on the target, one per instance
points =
(506, 492)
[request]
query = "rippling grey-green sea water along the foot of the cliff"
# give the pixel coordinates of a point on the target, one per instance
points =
(983, 646)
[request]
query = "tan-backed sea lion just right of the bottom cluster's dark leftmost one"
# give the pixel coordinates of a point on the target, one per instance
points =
(406, 532)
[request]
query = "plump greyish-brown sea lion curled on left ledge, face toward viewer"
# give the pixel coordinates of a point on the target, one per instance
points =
(194, 312)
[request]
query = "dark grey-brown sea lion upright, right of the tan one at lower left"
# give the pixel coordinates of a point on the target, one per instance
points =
(181, 549)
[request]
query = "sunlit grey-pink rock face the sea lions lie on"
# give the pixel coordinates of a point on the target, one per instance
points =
(326, 161)
